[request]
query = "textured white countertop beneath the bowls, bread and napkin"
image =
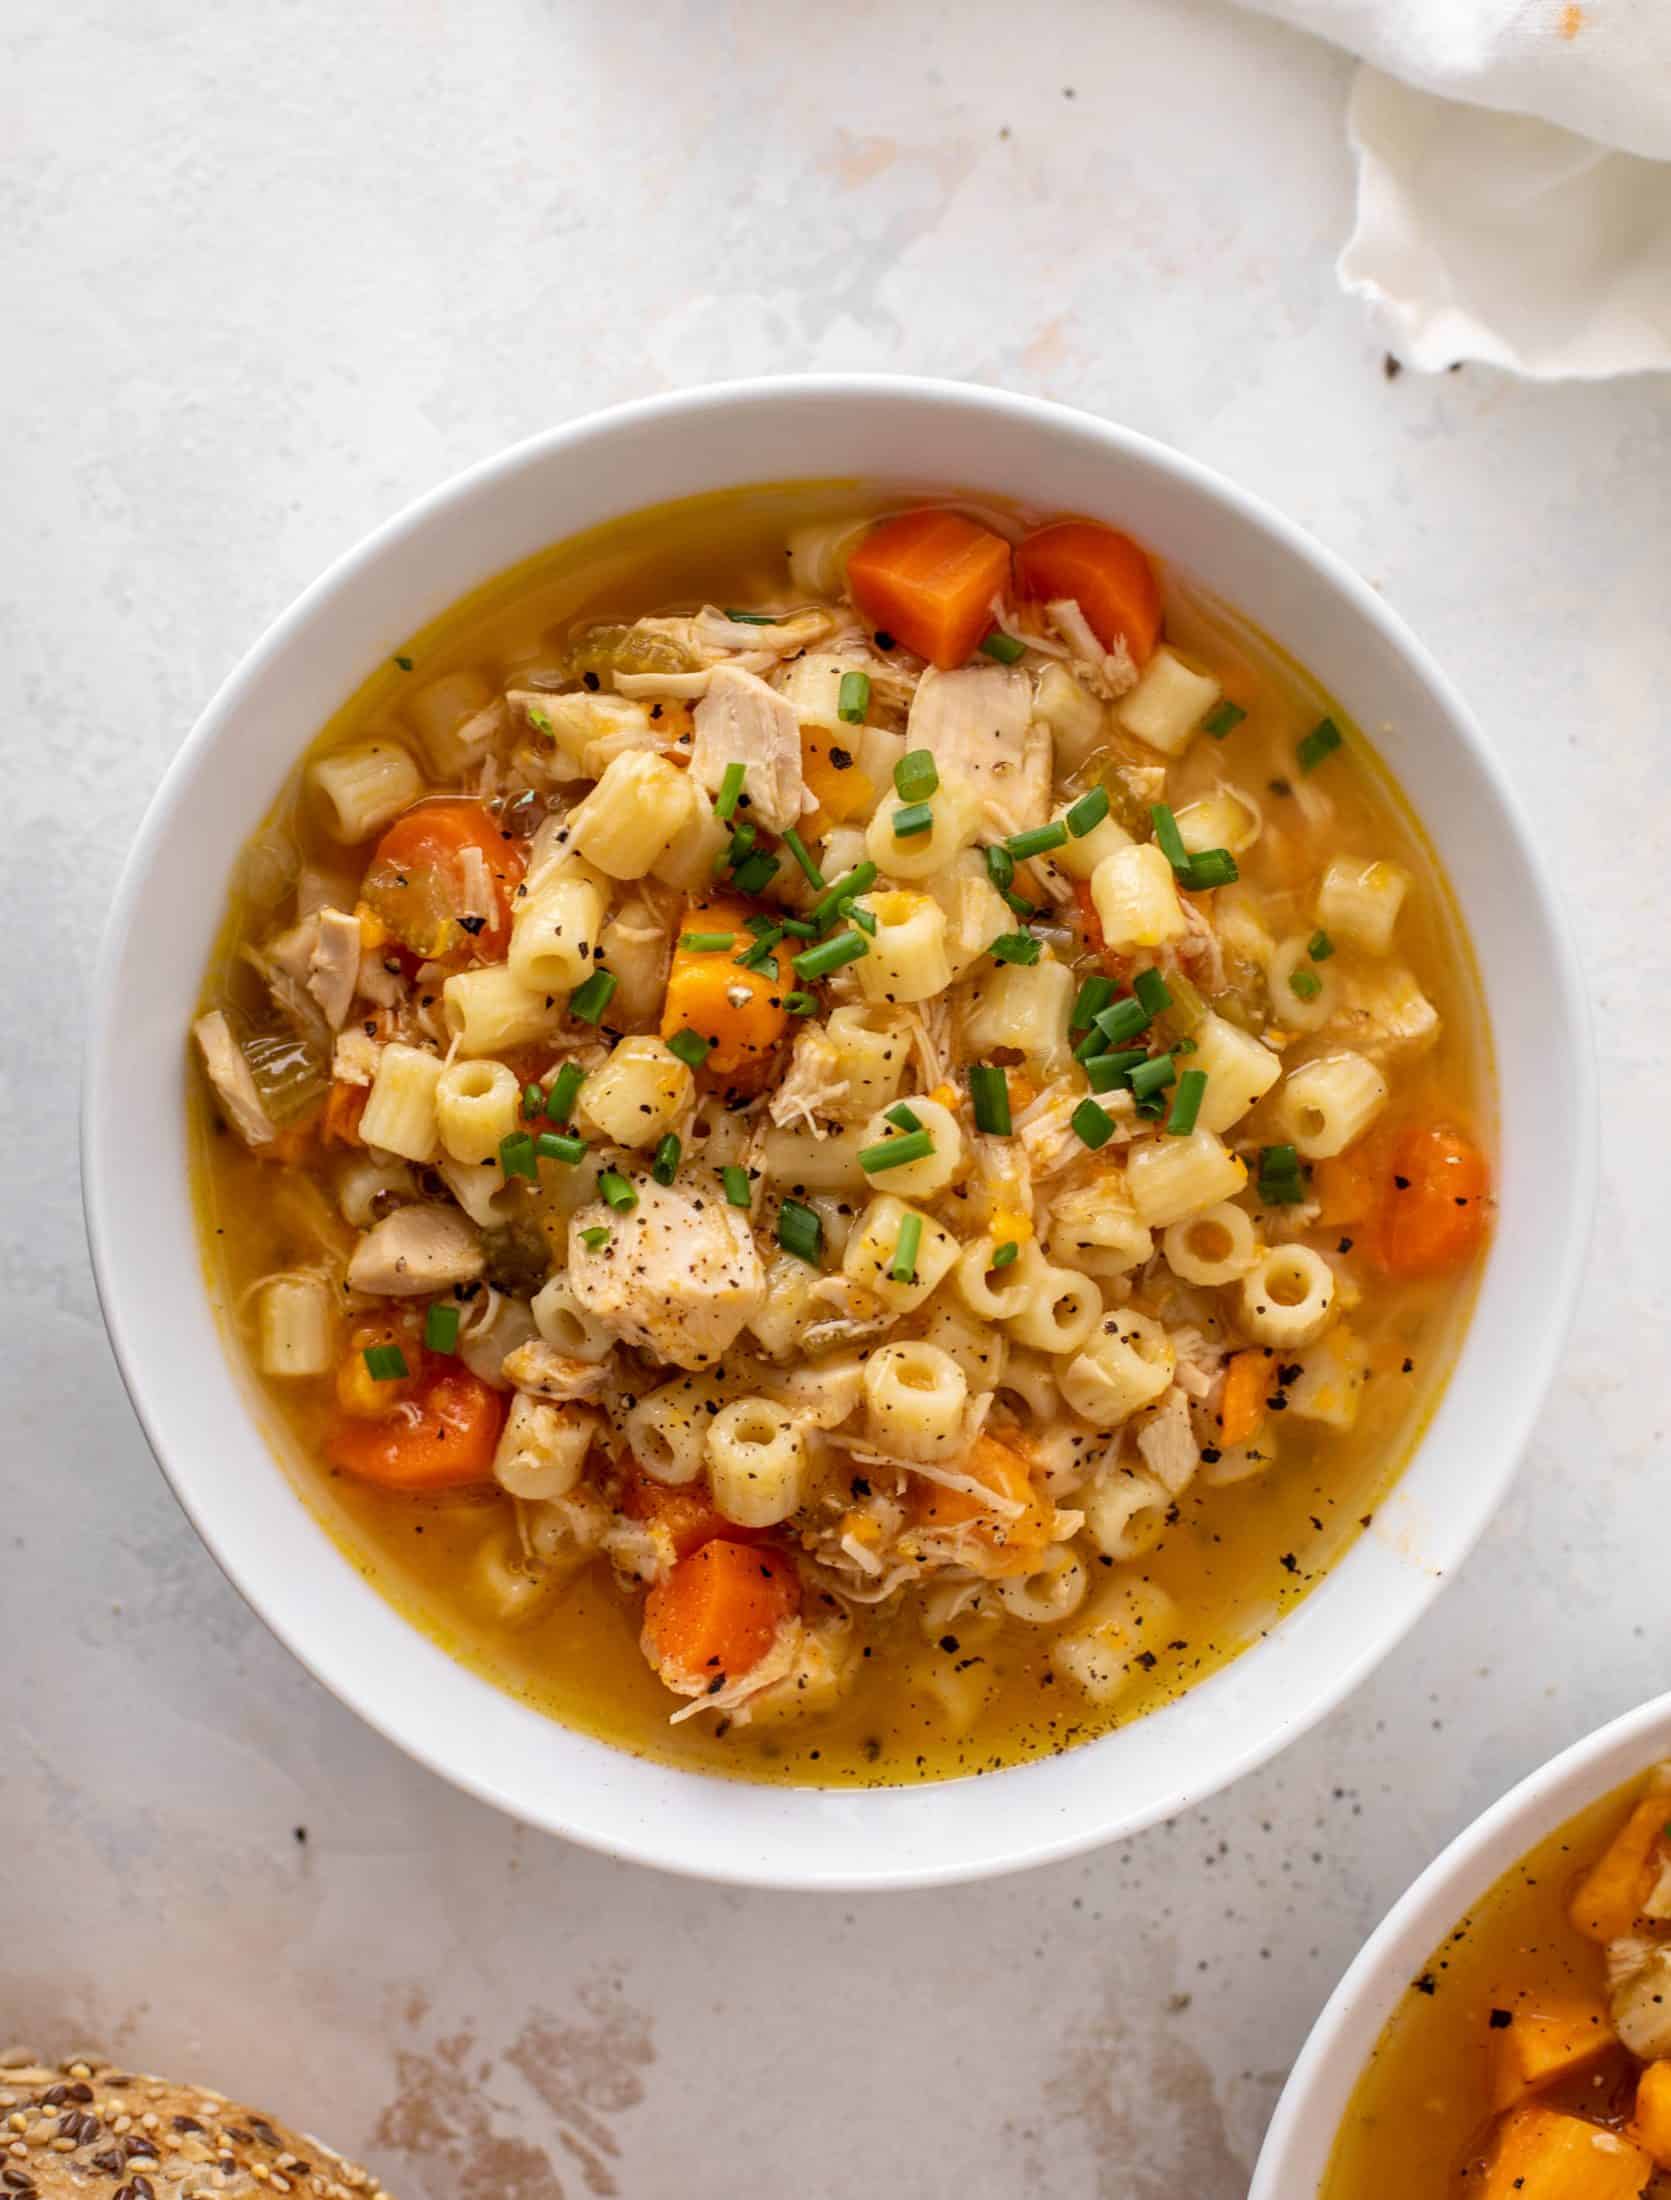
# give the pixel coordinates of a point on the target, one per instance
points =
(272, 272)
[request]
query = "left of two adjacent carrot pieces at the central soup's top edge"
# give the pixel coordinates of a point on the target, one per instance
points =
(929, 580)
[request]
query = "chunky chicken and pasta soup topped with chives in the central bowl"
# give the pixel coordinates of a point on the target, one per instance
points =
(848, 1143)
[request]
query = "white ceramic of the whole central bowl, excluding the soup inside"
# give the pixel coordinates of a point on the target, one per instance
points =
(135, 1167)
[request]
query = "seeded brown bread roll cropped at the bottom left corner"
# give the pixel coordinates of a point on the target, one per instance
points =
(100, 2133)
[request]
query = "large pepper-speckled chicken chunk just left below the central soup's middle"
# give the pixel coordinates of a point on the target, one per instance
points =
(678, 1275)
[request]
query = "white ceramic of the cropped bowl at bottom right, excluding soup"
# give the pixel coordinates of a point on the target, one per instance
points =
(1320, 2087)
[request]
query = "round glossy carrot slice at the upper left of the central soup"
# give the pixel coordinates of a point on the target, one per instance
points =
(425, 881)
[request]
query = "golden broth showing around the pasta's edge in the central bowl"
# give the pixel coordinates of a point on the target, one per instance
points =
(1235, 1559)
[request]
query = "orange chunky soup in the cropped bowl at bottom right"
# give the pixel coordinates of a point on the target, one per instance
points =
(1531, 2060)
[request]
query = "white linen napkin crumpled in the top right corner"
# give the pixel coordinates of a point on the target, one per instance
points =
(1514, 164)
